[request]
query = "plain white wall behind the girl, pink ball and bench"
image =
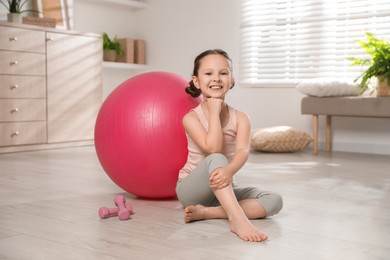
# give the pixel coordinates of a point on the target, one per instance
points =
(177, 30)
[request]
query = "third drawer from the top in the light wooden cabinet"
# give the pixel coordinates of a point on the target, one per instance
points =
(22, 86)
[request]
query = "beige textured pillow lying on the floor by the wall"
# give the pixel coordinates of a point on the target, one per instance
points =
(279, 139)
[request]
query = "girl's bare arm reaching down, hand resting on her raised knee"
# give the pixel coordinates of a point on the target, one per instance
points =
(224, 176)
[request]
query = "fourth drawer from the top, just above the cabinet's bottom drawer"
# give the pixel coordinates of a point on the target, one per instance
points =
(13, 110)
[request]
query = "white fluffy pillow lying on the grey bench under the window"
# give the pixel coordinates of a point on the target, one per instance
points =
(324, 87)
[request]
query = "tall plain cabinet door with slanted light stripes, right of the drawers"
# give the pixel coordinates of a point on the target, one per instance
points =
(74, 78)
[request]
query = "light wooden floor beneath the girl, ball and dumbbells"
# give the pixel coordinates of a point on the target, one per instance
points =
(336, 207)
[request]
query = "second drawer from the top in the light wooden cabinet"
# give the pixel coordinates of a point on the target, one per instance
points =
(22, 63)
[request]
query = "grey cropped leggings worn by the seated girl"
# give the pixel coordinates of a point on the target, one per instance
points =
(195, 188)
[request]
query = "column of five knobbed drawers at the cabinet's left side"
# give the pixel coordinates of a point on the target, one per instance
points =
(22, 87)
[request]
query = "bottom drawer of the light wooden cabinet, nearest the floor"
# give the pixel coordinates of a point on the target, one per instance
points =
(22, 133)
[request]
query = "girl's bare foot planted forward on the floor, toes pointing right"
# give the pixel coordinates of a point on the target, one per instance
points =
(247, 232)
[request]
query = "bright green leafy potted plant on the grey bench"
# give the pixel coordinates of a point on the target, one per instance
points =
(378, 64)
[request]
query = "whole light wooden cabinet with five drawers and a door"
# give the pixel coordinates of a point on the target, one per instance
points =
(50, 87)
